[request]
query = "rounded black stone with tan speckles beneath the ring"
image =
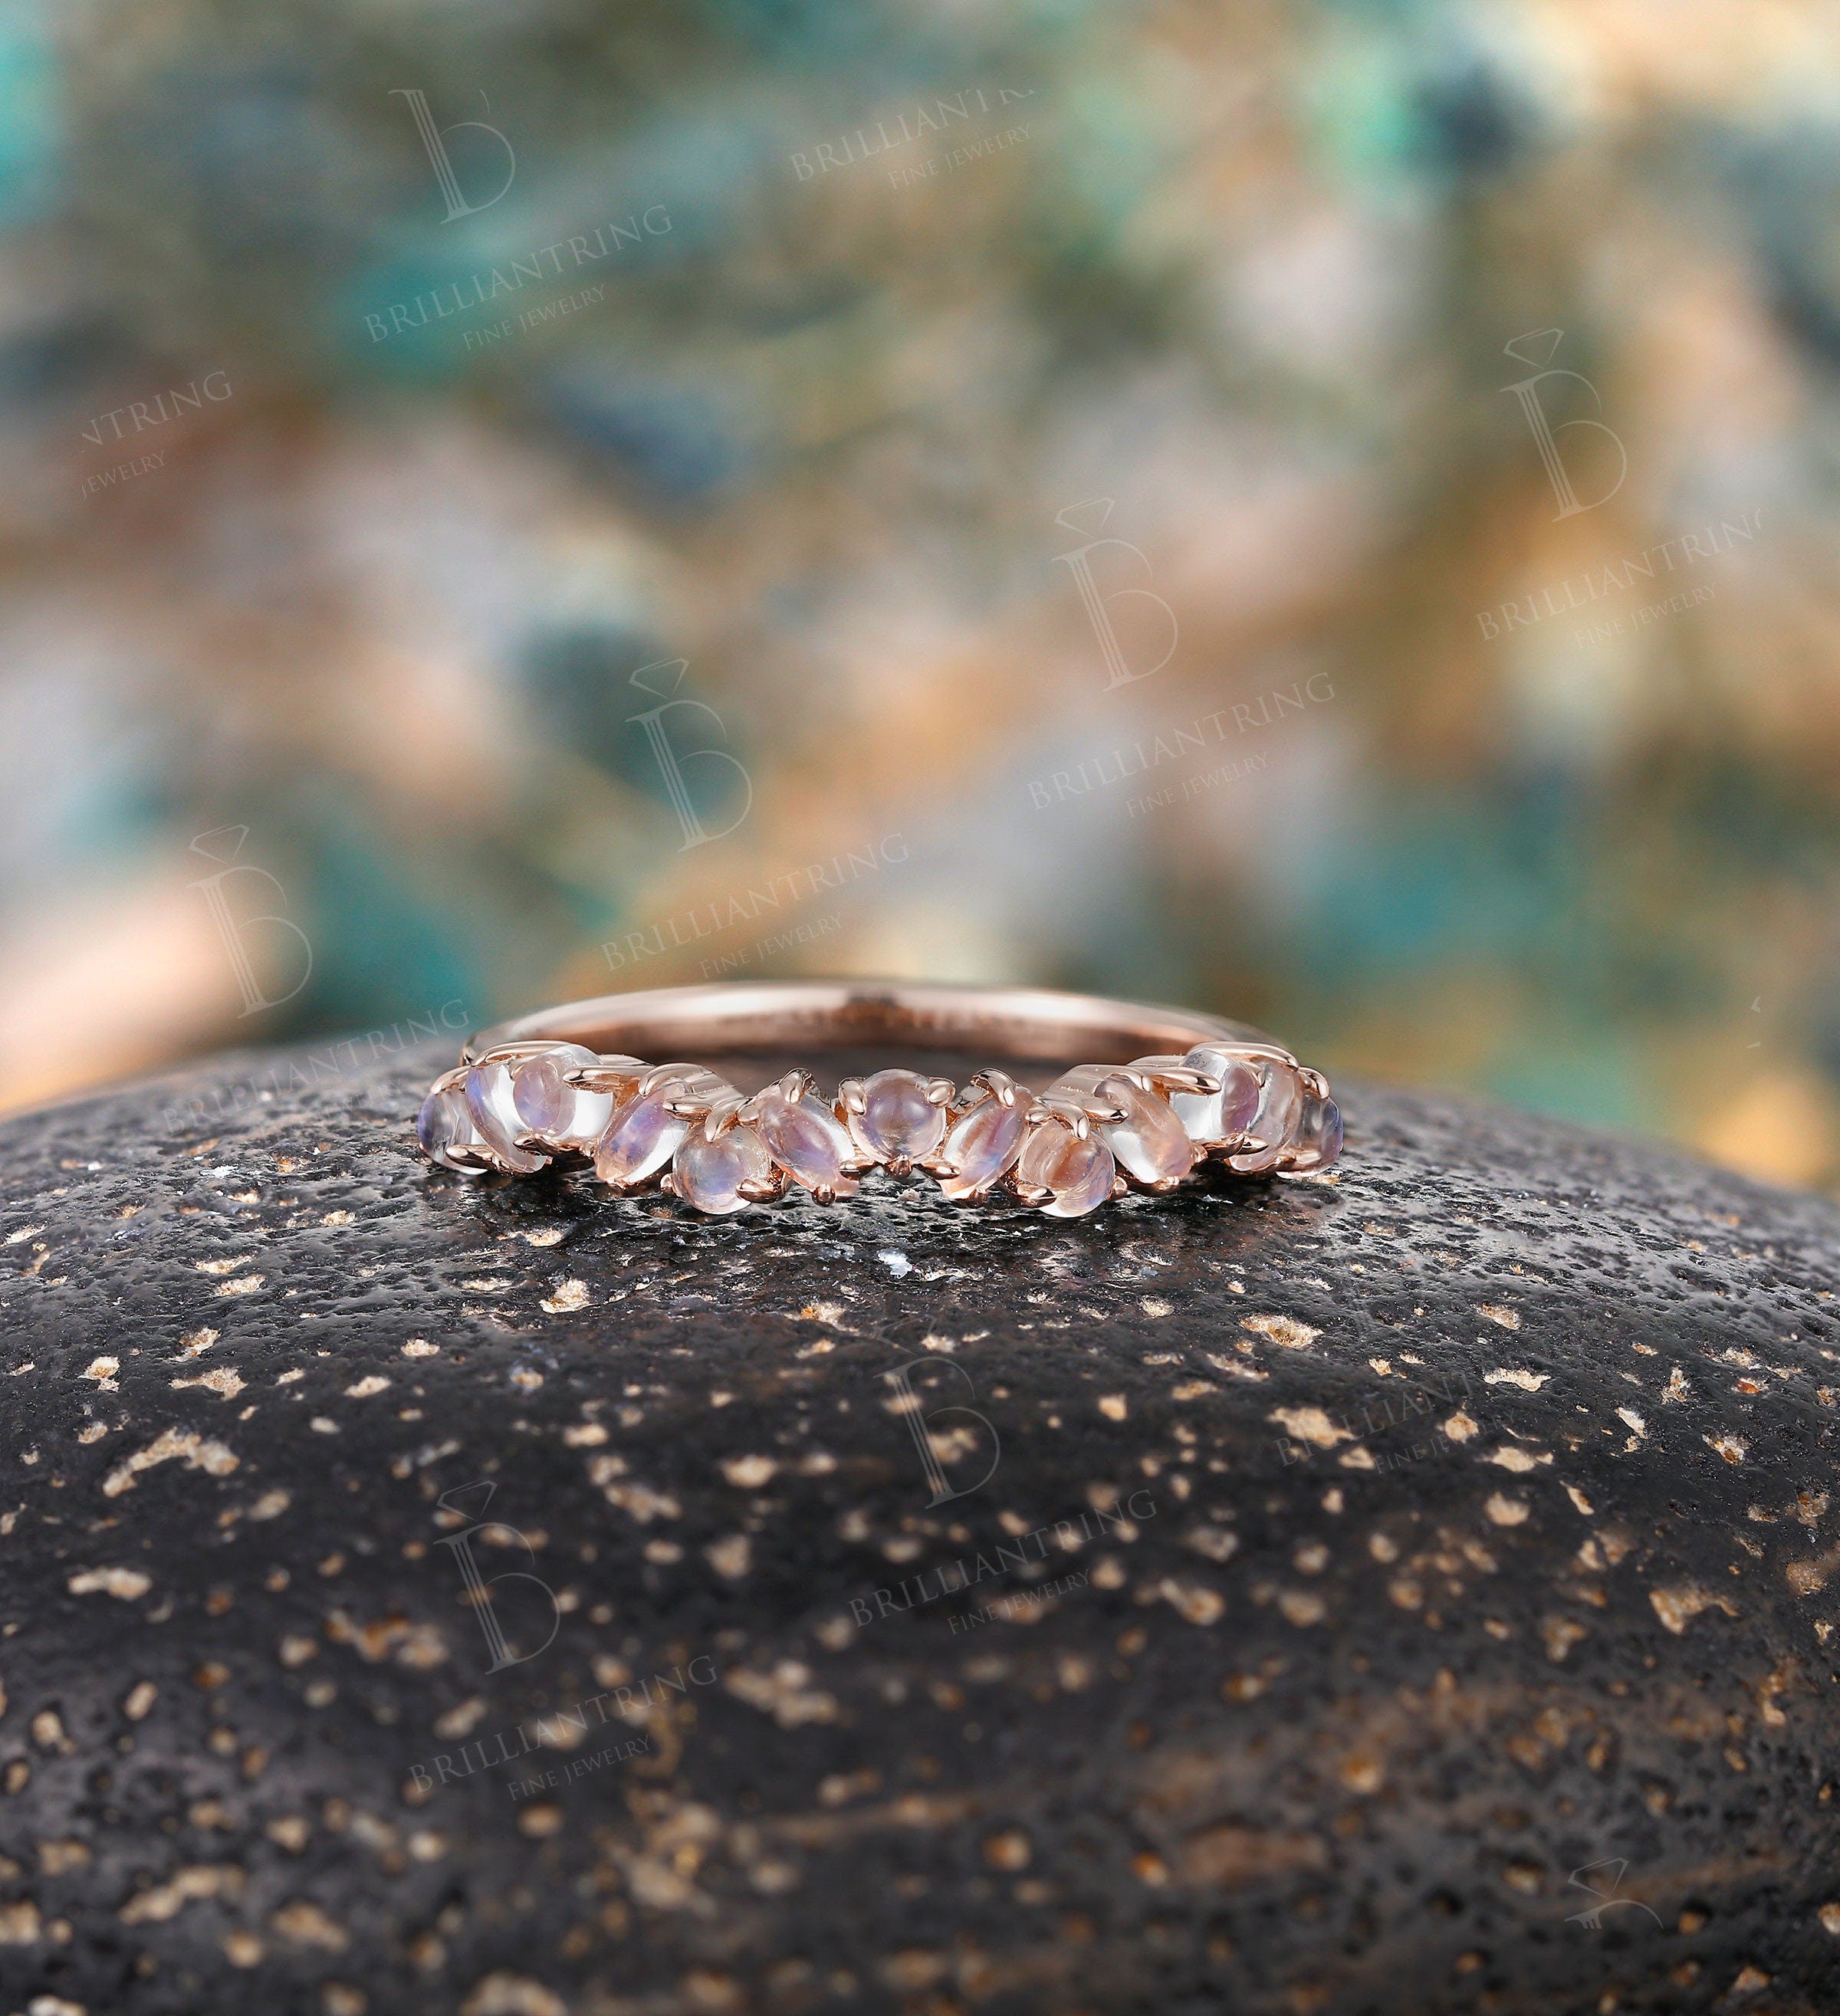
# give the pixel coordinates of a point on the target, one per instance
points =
(1458, 1634)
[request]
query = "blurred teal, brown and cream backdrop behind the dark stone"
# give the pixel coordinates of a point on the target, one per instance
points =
(1323, 513)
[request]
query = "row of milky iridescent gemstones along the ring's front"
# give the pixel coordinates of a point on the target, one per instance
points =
(1091, 1136)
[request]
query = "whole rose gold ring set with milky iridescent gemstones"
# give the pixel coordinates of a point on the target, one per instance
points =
(1174, 1092)
